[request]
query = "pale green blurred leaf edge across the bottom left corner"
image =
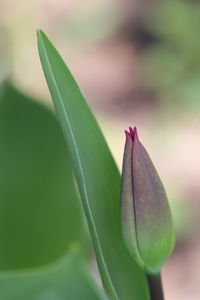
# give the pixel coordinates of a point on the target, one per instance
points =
(67, 279)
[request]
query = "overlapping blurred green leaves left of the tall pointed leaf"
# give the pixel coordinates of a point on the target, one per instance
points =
(40, 215)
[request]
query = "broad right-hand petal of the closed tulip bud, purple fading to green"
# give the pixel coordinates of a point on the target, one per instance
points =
(154, 227)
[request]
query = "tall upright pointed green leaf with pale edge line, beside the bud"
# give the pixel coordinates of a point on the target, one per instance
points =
(97, 176)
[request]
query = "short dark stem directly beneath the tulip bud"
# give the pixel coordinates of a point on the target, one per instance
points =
(155, 286)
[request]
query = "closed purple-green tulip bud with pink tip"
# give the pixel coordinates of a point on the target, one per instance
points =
(146, 219)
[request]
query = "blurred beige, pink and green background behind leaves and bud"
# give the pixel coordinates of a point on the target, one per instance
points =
(138, 64)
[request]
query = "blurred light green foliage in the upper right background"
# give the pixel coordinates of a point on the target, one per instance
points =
(172, 65)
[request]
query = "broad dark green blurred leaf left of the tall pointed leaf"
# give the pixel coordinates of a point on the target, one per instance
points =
(40, 213)
